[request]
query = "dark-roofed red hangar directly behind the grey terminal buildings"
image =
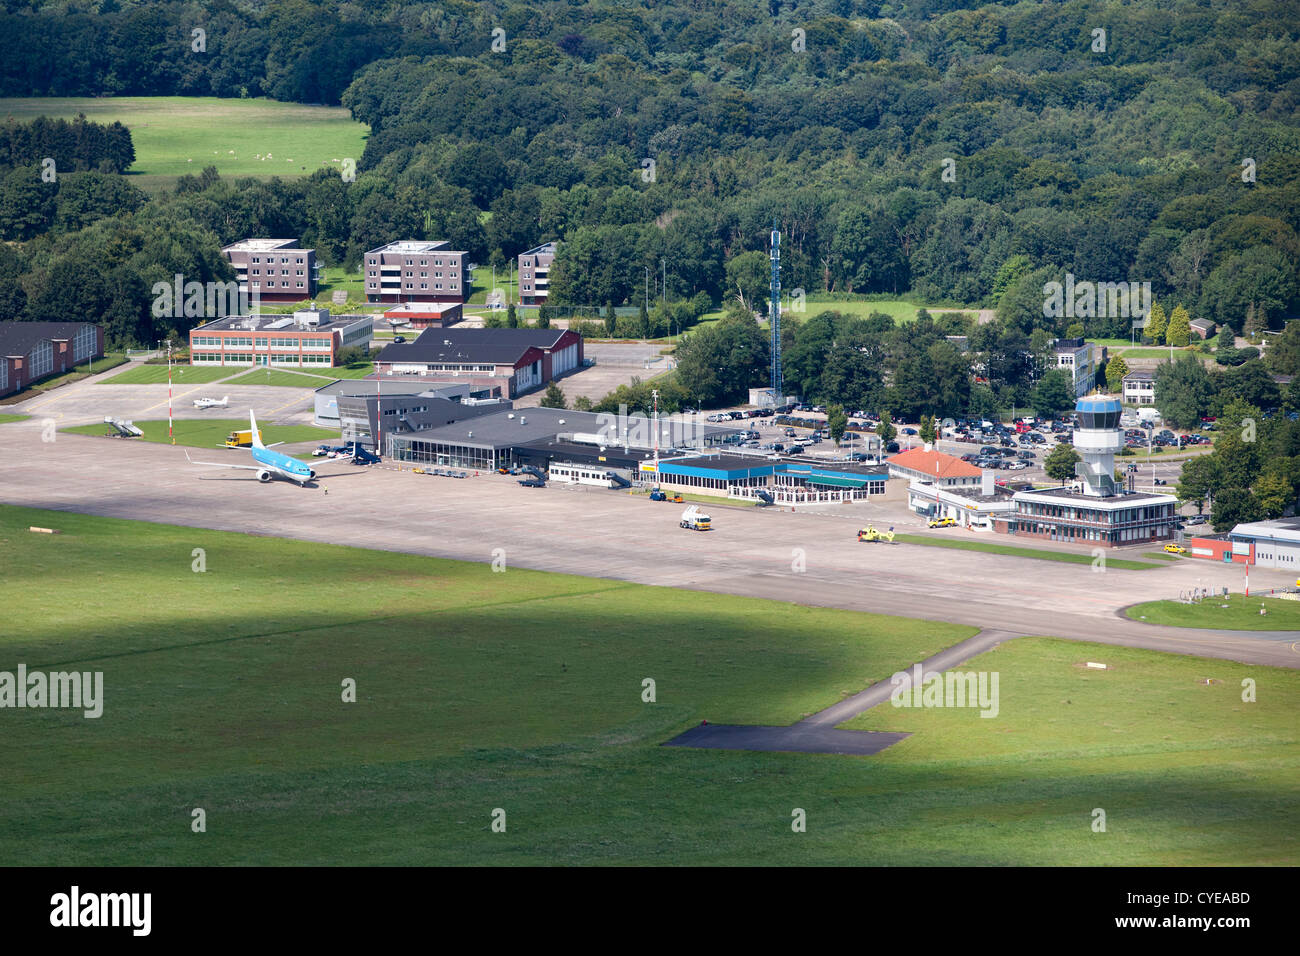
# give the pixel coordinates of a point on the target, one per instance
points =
(514, 361)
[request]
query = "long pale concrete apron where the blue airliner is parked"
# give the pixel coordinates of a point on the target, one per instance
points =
(803, 559)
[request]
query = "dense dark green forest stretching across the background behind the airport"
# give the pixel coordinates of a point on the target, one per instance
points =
(964, 153)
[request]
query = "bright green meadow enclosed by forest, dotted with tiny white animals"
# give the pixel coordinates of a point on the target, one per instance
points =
(175, 136)
